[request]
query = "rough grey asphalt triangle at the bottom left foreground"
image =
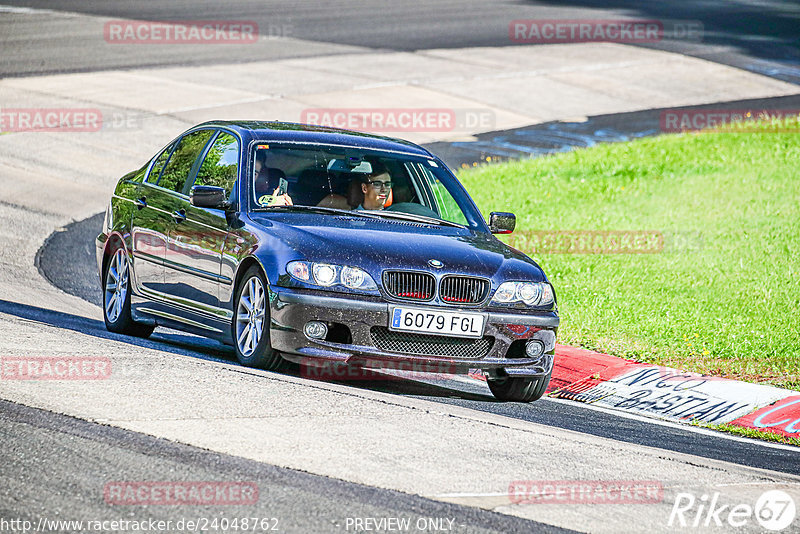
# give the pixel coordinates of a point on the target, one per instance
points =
(103, 453)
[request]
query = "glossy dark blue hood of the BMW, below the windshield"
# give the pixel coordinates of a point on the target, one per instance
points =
(380, 244)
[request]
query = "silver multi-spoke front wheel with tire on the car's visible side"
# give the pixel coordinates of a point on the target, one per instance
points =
(251, 324)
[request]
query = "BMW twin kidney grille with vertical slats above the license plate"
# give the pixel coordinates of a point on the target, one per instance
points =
(418, 286)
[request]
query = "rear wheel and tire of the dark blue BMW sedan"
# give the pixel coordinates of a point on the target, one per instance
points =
(119, 320)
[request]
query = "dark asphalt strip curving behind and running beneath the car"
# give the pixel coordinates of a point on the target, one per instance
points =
(67, 261)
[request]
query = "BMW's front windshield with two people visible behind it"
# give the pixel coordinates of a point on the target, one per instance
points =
(382, 184)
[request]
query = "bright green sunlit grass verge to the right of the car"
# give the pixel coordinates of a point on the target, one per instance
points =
(723, 295)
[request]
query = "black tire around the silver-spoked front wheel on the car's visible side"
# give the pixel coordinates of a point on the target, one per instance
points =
(262, 356)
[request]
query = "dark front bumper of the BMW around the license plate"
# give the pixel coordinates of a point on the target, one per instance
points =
(371, 344)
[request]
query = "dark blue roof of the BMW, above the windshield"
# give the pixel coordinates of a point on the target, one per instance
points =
(308, 133)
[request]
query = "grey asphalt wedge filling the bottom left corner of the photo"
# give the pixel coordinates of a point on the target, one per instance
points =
(58, 468)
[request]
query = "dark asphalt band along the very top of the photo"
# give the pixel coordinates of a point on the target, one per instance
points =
(758, 35)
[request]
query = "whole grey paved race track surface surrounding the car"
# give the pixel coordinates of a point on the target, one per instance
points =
(441, 453)
